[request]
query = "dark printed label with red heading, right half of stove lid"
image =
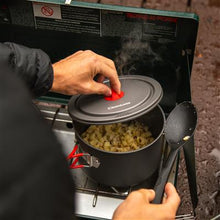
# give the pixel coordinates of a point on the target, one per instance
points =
(142, 26)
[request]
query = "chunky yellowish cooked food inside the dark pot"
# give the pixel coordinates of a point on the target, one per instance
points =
(118, 137)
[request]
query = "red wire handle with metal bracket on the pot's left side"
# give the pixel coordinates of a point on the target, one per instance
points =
(74, 157)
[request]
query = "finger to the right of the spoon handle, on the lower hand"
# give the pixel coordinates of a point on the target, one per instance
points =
(173, 199)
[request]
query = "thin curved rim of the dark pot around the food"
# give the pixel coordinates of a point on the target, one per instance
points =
(128, 152)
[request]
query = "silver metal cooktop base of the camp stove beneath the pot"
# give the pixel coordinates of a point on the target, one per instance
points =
(94, 201)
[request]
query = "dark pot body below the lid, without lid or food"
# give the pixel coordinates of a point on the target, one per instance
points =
(127, 168)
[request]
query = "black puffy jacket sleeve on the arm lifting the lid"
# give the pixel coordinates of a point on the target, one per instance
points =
(32, 65)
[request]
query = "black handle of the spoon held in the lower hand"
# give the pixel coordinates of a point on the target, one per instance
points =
(163, 177)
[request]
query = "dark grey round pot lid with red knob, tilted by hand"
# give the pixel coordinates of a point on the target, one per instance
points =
(139, 95)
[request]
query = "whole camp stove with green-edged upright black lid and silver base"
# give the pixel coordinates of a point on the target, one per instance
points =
(159, 44)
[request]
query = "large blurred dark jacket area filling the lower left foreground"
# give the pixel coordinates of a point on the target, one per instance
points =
(35, 182)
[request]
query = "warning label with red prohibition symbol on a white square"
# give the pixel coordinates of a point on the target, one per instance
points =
(66, 18)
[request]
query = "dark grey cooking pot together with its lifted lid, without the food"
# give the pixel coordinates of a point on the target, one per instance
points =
(121, 169)
